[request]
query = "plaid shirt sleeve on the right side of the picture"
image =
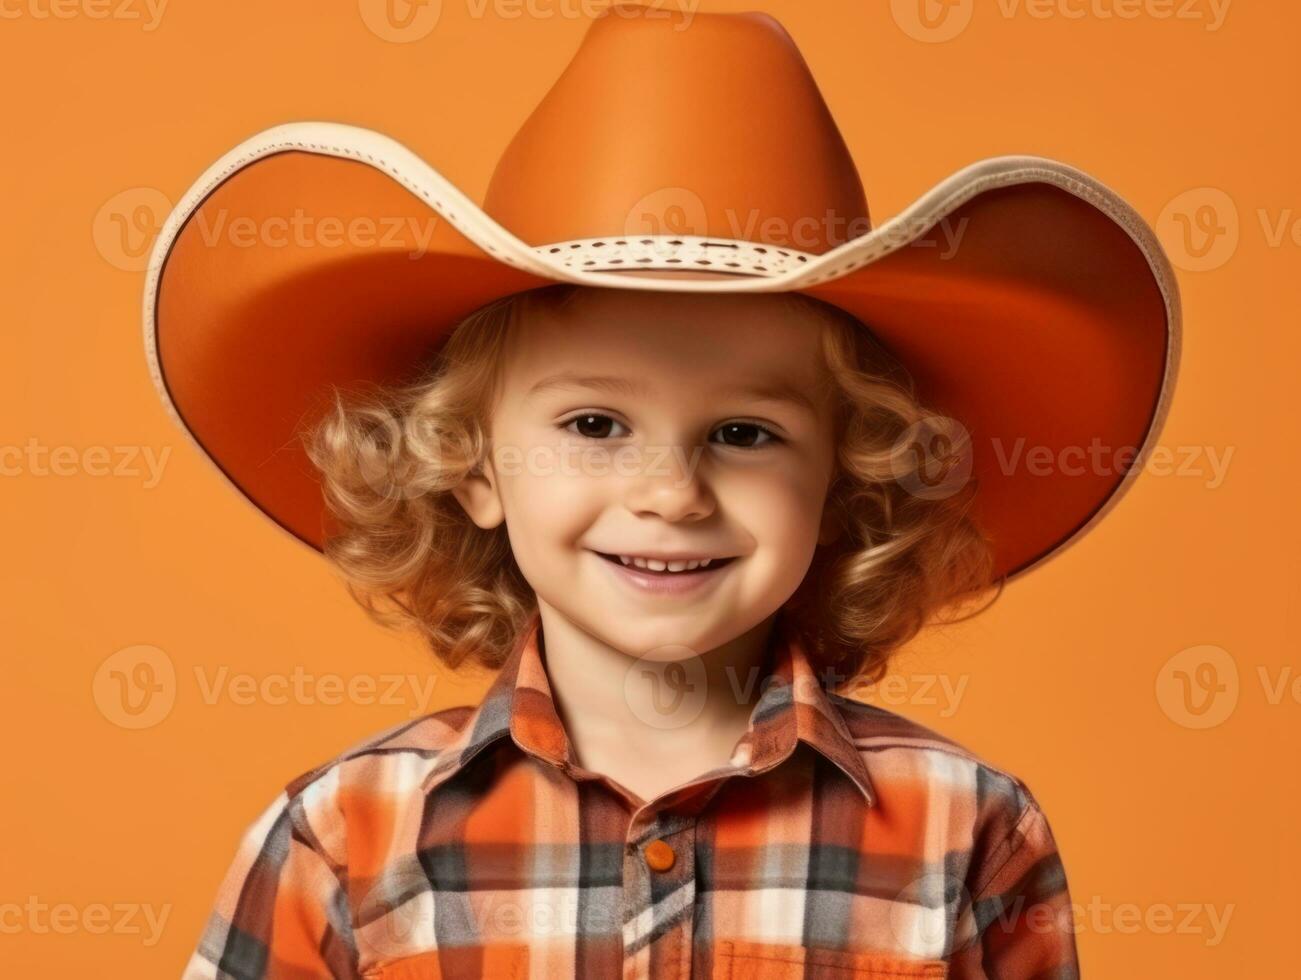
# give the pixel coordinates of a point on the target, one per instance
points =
(1021, 910)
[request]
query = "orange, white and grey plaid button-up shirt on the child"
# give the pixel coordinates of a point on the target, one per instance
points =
(840, 841)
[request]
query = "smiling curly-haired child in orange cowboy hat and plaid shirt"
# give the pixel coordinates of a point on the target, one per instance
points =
(676, 513)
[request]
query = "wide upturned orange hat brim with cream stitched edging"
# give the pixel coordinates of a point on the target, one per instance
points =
(319, 254)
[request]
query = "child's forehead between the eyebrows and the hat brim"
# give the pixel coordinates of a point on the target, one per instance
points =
(671, 338)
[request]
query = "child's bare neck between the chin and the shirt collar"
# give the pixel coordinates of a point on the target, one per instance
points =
(606, 696)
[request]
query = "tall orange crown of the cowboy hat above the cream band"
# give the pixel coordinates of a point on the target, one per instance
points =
(667, 123)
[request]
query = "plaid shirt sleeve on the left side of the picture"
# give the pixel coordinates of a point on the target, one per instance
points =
(282, 912)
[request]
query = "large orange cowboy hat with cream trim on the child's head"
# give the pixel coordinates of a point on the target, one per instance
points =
(1027, 300)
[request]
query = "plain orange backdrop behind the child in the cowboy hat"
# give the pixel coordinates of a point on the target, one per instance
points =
(1064, 677)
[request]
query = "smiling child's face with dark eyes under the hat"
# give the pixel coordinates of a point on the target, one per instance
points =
(662, 425)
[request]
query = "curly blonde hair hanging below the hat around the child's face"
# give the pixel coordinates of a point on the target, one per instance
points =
(412, 558)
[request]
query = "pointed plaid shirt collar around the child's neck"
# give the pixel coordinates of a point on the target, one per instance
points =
(794, 707)
